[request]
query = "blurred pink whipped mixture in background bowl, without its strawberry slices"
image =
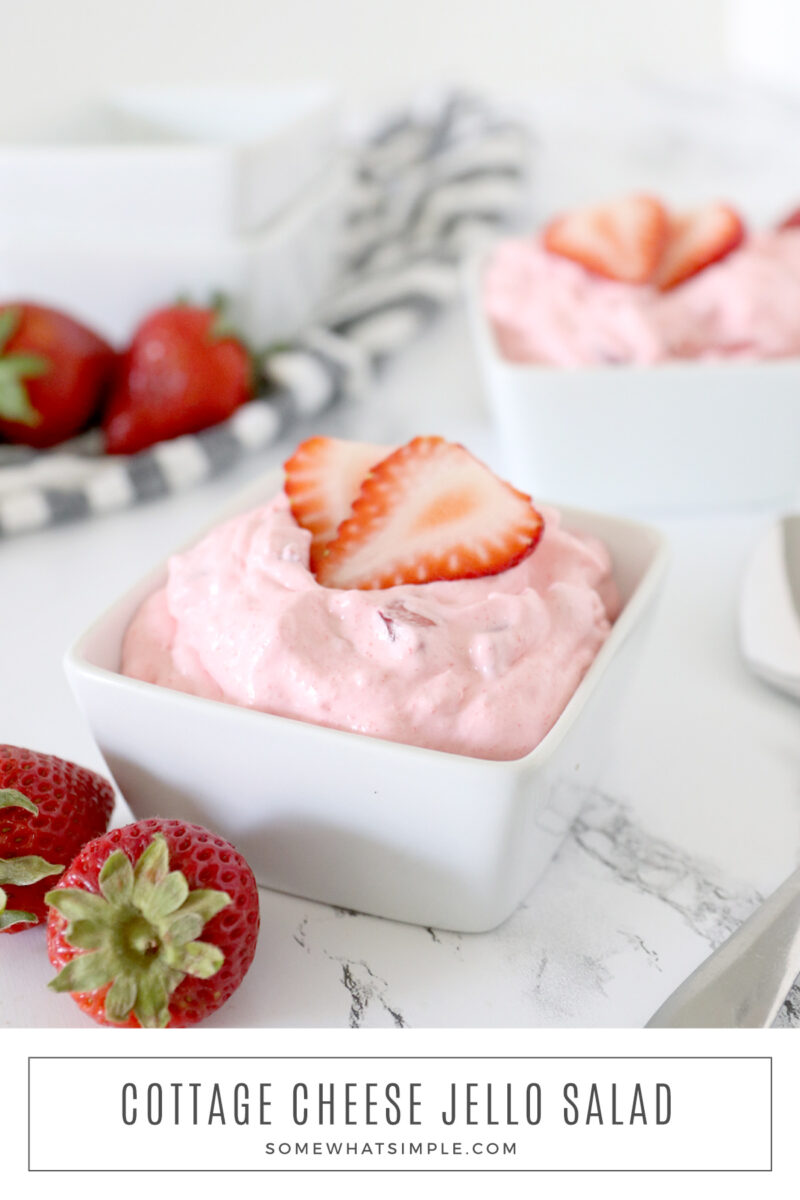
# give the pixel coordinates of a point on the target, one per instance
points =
(548, 309)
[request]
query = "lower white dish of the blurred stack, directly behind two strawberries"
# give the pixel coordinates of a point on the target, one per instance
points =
(274, 279)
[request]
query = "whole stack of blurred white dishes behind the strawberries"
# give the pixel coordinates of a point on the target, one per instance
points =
(166, 193)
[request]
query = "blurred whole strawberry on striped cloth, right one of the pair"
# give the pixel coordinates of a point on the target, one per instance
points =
(181, 375)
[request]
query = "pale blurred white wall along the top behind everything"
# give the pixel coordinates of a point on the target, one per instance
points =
(58, 53)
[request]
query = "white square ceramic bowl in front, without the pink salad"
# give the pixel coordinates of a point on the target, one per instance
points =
(419, 836)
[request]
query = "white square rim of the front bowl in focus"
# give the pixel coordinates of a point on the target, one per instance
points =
(77, 664)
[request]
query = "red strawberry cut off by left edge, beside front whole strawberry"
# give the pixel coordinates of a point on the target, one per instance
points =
(49, 811)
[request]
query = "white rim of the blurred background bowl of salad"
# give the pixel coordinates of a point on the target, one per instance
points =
(484, 335)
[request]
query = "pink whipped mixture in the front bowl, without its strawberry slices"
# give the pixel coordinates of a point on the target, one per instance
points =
(480, 667)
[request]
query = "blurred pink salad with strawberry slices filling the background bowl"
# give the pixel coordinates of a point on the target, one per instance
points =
(631, 283)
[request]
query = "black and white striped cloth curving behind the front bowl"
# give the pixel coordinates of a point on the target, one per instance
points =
(429, 184)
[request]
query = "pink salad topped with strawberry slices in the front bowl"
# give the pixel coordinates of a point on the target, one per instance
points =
(406, 595)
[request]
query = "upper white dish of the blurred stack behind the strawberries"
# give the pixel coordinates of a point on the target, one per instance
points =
(170, 161)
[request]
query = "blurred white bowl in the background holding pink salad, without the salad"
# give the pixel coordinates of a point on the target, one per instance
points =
(676, 437)
